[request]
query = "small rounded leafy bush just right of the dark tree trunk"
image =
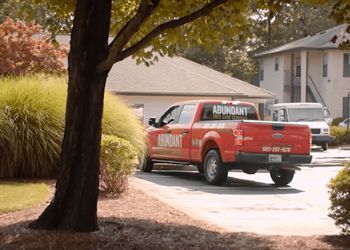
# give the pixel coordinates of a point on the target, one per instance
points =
(117, 163)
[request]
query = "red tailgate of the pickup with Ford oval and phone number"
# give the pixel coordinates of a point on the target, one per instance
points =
(275, 138)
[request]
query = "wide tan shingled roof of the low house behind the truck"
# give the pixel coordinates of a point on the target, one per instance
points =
(175, 76)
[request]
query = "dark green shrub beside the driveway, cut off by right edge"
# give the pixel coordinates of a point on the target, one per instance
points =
(339, 190)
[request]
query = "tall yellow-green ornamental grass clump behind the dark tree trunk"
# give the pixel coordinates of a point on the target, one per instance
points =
(32, 122)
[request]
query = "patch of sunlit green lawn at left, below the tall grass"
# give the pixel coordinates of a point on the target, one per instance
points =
(20, 195)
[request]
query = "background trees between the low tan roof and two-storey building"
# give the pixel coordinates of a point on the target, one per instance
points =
(267, 29)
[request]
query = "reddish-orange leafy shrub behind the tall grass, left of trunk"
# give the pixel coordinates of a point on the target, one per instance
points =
(25, 49)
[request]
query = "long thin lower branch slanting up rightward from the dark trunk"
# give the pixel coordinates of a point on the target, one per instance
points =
(169, 25)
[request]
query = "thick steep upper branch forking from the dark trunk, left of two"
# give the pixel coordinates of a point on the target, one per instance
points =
(144, 10)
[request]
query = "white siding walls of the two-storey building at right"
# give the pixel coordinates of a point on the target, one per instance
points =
(332, 88)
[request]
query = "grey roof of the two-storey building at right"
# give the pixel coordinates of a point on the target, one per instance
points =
(328, 39)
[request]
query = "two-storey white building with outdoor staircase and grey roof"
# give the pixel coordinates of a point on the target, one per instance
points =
(312, 69)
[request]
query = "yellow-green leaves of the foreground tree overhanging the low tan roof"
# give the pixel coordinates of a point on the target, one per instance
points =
(169, 26)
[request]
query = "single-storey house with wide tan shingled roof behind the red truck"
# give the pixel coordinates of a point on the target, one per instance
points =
(151, 90)
